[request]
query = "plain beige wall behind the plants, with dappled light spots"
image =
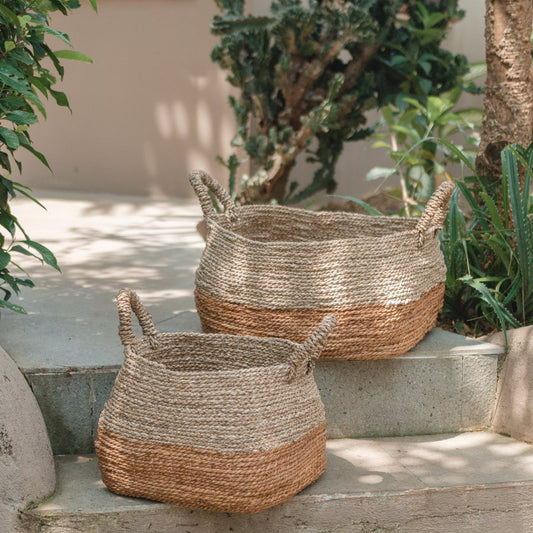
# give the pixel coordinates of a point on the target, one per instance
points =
(152, 106)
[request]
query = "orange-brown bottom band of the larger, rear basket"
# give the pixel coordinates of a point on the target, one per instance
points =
(373, 331)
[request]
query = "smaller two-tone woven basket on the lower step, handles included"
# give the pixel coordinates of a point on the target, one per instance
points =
(214, 422)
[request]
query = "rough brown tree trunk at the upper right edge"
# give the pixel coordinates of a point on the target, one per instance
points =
(508, 103)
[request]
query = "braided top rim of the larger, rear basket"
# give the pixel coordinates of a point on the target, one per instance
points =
(247, 210)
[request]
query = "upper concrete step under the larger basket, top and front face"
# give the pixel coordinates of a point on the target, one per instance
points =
(68, 347)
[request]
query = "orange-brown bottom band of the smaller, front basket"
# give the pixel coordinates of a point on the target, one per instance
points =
(247, 482)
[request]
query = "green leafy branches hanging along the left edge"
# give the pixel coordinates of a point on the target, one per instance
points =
(25, 79)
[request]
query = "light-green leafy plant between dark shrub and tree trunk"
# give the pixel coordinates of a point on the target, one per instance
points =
(409, 131)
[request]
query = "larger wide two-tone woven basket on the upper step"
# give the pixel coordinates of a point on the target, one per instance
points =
(276, 270)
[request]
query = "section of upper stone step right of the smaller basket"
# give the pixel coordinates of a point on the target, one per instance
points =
(447, 383)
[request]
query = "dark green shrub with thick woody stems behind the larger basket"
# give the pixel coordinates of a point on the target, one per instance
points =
(308, 72)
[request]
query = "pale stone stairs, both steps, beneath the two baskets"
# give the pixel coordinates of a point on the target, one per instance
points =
(380, 477)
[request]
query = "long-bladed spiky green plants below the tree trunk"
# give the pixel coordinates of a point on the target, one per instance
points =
(489, 283)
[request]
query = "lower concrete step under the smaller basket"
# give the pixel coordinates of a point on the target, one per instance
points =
(471, 482)
